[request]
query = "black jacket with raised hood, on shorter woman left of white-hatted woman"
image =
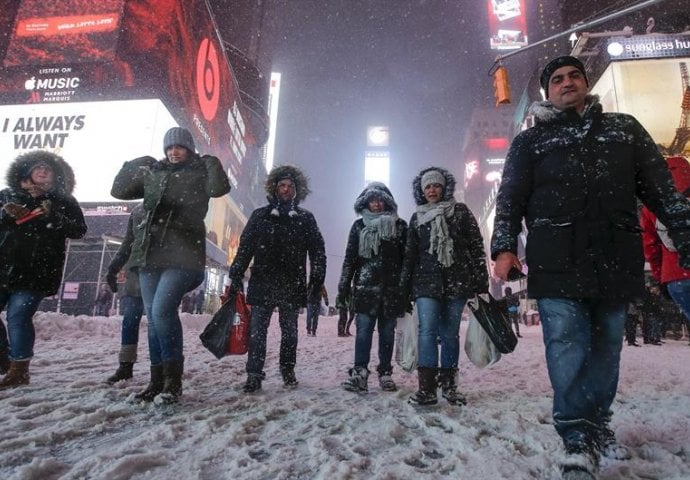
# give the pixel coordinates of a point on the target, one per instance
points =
(374, 281)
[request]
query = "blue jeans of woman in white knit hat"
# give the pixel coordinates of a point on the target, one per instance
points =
(439, 319)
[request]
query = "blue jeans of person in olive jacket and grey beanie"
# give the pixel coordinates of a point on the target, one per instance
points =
(162, 291)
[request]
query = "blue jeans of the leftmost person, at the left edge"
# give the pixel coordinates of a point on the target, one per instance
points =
(21, 306)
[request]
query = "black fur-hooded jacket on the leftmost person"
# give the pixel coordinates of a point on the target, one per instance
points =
(32, 255)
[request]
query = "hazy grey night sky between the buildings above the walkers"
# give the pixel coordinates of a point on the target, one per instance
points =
(419, 66)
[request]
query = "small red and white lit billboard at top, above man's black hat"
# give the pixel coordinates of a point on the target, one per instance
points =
(507, 24)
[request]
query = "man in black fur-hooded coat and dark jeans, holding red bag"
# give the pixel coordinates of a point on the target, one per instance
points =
(278, 237)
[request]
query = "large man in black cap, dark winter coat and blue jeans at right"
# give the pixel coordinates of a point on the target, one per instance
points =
(575, 178)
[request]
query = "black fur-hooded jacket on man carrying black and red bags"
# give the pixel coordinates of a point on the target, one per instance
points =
(278, 239)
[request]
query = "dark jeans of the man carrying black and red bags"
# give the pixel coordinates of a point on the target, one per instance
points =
(258, 328)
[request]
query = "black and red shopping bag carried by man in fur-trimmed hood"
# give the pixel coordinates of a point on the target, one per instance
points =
(228, 331)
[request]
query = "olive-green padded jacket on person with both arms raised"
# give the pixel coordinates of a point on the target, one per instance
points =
(176, 200)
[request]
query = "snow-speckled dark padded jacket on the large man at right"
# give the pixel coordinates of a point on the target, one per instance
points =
(576, 180)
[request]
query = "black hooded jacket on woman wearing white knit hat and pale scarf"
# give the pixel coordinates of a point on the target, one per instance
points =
(422, 274)
